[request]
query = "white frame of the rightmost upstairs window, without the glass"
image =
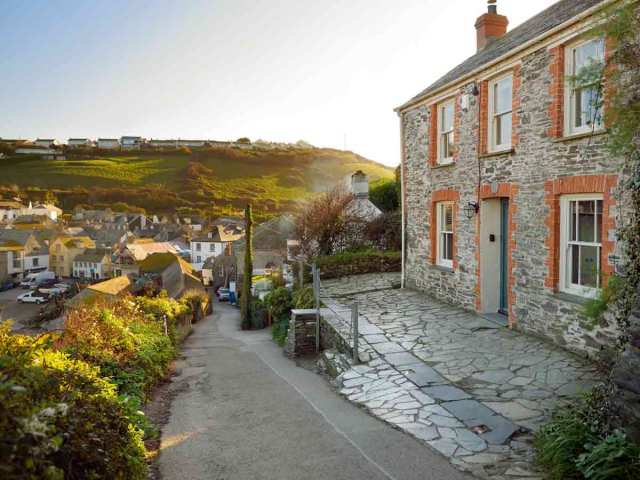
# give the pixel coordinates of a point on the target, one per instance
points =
(569, 90)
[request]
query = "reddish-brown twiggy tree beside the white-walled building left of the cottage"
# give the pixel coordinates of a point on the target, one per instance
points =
(323, 226)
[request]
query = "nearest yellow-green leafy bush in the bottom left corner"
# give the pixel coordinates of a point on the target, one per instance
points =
(60, 418)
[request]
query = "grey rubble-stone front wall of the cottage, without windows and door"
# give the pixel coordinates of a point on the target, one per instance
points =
(530, 172)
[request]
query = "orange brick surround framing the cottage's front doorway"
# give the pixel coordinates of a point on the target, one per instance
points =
(505, 190)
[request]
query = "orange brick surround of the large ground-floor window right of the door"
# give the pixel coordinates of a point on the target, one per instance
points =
(603, 184)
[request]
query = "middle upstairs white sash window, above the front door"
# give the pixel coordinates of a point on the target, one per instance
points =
(500, 108)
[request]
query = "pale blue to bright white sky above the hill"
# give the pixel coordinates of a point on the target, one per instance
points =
(329, 72)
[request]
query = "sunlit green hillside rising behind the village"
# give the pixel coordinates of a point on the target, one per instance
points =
(216, 181)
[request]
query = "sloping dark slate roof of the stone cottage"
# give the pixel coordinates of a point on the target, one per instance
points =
(549, 18)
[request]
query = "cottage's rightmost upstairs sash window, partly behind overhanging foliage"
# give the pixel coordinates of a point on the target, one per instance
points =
(584, 95)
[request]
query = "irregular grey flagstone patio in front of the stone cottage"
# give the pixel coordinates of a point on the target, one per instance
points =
(471, 389)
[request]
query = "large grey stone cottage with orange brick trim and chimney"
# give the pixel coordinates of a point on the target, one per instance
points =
(509, 195)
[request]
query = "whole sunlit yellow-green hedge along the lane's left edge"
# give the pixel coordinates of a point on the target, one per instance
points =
(71, 400)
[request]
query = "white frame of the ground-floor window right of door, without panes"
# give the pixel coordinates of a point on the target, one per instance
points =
(565, 284)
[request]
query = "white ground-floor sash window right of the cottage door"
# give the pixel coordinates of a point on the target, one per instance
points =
(580, 244)
